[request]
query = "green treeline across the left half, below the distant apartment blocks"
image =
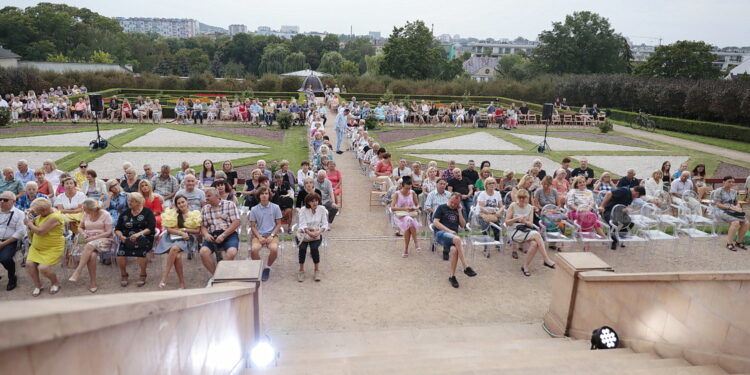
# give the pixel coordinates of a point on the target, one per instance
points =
(58, 32)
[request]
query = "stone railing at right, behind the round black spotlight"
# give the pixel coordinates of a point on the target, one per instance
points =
(703, 317)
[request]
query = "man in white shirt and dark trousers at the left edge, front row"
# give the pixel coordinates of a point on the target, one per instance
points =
(12, 231)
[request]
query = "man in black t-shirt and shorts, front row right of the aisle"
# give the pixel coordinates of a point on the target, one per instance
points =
(446, 222)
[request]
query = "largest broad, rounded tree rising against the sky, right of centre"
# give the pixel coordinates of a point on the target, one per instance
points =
(584, 43)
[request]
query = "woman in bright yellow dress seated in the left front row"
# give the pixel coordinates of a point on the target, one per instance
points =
(47, 244)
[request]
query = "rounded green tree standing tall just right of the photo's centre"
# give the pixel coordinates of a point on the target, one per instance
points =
(412, 52)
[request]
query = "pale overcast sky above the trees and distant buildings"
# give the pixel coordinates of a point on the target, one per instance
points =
(718, 22)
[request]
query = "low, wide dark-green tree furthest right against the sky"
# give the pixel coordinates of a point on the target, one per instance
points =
(682, 59)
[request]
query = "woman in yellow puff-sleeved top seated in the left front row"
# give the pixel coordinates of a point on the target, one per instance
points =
(182, 225)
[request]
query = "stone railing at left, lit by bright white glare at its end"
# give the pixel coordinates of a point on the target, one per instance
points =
(194, 331)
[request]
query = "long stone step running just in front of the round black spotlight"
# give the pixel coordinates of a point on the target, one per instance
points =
(406, 364)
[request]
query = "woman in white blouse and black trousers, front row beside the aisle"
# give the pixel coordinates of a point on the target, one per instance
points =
(313, 221)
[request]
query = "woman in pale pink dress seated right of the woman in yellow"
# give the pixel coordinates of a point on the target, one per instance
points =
(96, 231)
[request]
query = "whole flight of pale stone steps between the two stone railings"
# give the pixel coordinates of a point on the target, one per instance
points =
(496, 349)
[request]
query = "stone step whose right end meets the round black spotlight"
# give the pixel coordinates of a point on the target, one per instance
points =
(484, 346)
